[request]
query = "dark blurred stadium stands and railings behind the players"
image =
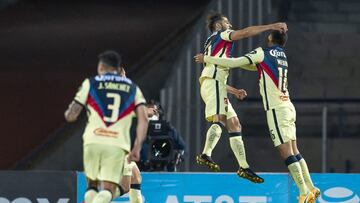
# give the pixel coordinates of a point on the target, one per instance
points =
(49, 47)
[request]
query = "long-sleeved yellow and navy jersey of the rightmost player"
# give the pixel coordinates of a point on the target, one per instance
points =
(271, 64)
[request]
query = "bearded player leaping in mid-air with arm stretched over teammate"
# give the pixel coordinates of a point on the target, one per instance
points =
(214, 89)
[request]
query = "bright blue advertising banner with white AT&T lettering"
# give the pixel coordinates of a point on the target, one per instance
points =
(228, 188)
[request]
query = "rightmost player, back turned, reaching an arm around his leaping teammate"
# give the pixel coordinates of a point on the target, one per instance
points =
(272, 67)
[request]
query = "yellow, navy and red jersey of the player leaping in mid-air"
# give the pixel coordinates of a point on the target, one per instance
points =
(218, 44)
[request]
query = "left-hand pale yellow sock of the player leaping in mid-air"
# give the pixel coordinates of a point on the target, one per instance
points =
(212, 137)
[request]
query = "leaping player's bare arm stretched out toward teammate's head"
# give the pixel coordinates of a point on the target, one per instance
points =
(255, 30)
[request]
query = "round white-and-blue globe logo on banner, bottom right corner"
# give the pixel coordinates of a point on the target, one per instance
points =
(339, 194)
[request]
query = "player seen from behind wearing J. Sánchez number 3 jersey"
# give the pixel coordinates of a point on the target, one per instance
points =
(111, 101)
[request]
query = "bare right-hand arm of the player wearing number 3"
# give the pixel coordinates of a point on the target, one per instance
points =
(141, 129)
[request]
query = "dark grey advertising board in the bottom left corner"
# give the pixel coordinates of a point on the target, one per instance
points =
(37, 187)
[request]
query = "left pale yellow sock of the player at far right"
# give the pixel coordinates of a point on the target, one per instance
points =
(296, 173)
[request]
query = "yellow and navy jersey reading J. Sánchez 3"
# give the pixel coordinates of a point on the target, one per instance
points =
(111, 101)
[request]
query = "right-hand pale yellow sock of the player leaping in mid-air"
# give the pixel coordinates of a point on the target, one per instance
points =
(237, 146)
